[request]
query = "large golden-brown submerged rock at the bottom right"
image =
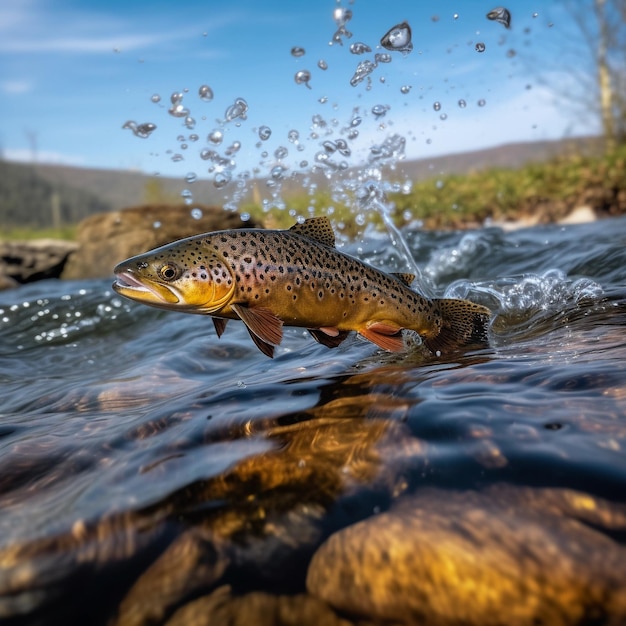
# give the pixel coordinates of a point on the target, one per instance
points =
(507, 555)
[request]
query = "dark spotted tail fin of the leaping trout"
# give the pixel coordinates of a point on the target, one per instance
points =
(463, 324)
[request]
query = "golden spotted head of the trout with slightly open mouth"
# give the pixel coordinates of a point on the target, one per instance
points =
(185, 275)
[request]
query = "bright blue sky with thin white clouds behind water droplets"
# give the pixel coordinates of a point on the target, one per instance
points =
(72, 72)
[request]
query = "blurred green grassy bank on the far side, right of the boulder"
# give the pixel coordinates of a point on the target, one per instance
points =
(548, 190)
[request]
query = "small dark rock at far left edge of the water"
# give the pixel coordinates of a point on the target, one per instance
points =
(28, 261)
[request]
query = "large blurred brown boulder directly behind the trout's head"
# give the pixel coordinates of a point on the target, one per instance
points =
(109, 238)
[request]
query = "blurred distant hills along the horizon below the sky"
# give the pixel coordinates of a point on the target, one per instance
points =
(39, 195)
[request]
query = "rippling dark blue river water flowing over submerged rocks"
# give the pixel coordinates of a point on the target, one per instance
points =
(150, 471)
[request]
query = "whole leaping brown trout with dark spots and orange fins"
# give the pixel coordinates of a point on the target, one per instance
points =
(295, 277)
